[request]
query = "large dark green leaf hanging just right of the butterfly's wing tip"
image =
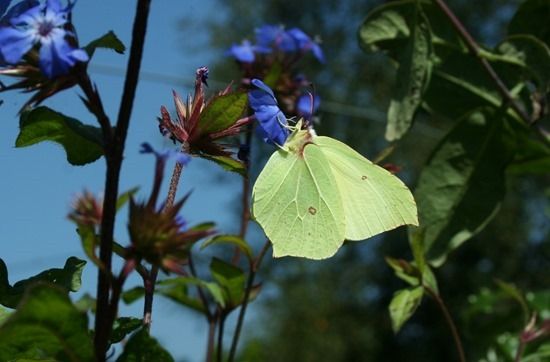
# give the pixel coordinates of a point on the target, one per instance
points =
(462, 185)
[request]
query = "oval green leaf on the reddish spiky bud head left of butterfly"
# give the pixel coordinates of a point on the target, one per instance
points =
(222, 112)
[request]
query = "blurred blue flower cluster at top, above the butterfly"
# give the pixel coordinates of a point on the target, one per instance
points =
(272, 38)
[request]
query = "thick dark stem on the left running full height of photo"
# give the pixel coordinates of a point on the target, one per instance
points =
(114, 148)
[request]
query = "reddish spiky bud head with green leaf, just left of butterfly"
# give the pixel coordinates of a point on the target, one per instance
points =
(200, 124)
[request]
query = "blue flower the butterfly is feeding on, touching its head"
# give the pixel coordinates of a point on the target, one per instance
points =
(272, 120)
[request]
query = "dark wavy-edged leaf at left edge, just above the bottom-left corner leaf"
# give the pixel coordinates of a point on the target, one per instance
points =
(69, 278)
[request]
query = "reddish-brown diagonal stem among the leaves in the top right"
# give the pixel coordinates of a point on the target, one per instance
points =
(475, 50)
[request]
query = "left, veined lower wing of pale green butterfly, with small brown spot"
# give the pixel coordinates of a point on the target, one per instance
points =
(297, 203)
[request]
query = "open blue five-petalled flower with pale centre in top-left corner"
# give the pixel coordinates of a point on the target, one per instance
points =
(42, 25)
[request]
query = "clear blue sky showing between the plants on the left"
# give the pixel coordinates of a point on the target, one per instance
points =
(38, 184)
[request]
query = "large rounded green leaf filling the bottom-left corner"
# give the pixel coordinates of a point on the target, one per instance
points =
(46, 325)
